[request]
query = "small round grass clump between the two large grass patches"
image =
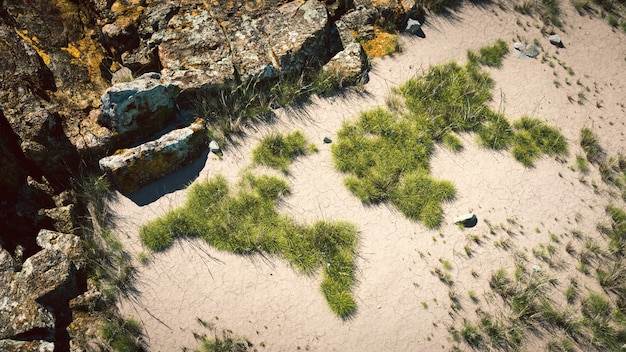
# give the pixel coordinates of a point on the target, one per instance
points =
(279, 151)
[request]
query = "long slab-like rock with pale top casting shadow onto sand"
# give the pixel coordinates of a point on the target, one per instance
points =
(135, 167)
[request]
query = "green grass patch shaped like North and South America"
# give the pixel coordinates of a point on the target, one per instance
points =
(245, 220)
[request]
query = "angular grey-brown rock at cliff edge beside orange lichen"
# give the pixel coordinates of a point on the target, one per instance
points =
(349, 66)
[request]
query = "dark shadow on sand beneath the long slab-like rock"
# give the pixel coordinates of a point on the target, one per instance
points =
(175, 181)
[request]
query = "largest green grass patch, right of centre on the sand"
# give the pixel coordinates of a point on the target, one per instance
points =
(385, 153)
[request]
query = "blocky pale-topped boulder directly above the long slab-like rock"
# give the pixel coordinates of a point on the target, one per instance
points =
(138, 107)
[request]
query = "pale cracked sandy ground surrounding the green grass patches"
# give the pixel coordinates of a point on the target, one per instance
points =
(266, 301)
